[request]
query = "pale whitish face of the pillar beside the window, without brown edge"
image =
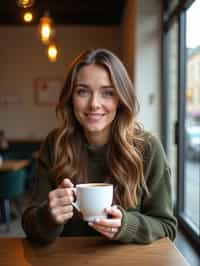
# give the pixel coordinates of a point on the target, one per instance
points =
(148, 62)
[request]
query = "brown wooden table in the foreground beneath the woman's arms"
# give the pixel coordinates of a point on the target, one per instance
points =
(90, 251)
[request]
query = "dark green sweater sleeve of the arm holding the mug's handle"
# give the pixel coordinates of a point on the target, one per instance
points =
(36, 220)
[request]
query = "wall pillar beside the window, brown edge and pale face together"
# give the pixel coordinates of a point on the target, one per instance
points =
(141, 53)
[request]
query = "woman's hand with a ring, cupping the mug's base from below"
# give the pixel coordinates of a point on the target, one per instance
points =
(108, 227)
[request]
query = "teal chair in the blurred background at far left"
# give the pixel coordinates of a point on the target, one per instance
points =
(12, 186)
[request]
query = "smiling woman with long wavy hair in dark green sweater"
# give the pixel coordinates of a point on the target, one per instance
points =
(100, 140)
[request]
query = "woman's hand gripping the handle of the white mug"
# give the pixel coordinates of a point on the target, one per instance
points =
(60, 202)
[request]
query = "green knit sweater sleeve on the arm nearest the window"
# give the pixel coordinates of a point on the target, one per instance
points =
(153, 216)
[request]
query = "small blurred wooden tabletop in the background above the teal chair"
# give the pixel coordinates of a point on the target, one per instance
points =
(13, 165)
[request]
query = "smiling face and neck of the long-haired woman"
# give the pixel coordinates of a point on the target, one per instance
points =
(95, 102)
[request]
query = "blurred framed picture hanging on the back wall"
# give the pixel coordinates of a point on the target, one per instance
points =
(47, 90)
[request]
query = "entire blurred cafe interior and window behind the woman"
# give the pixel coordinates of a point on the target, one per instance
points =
(159, 43)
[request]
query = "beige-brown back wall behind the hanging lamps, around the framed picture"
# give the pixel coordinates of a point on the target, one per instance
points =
(23, 60)
